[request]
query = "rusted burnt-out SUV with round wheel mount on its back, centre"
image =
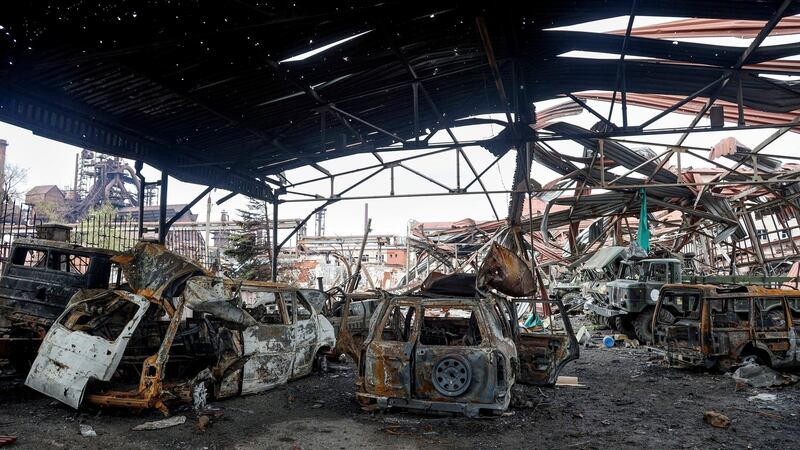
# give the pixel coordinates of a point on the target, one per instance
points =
(454, 354)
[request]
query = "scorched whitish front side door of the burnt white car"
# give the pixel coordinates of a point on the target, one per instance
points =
(268, 347)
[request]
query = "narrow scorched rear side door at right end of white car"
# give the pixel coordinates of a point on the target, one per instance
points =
(304, 333)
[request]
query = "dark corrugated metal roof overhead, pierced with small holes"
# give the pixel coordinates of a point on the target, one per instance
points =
(230, 94)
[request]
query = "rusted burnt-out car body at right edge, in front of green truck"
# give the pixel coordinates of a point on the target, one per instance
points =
(717, 326)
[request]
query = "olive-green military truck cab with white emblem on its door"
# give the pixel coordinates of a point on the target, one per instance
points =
(630, 300)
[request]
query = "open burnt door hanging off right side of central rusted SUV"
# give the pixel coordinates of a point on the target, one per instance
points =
(542, 354)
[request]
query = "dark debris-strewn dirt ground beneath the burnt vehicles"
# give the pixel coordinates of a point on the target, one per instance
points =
(630, 401)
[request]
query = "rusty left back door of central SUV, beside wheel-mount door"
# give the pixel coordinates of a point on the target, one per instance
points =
(387, 367)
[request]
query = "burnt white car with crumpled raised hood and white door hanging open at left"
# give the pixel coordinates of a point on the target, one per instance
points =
(181, 335)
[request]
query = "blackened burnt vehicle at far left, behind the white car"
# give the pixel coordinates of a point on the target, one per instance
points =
(39, 278)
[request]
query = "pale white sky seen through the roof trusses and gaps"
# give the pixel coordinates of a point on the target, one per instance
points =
(51, 162)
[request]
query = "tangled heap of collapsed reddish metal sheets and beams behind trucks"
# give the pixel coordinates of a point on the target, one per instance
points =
(726, 219)
